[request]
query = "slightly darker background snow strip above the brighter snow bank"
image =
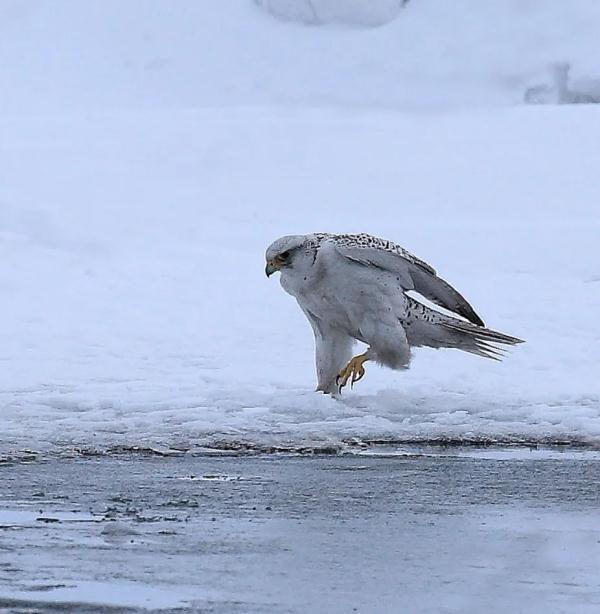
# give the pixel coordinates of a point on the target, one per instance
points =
(64, 55)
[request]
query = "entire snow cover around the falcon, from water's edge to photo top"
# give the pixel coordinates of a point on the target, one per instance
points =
(134, 214)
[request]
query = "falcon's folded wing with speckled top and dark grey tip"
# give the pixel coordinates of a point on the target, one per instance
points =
(412, 273)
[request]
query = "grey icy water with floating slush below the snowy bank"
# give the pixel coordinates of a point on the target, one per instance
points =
(412, 530)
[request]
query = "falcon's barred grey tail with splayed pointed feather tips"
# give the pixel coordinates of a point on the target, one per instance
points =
(426, 327)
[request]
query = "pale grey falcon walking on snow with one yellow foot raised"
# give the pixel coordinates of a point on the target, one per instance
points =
(354, 287)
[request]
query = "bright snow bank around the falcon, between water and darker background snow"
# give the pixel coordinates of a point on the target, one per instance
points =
(137, 312)
